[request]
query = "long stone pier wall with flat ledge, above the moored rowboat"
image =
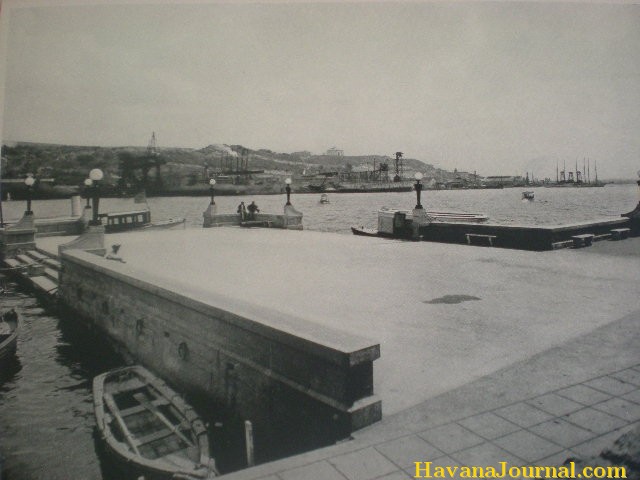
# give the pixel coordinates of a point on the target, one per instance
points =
(270, 368)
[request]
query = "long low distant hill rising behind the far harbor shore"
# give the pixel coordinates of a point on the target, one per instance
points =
(70, 164)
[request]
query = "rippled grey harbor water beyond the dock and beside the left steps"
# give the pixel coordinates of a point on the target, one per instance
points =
(46, 413)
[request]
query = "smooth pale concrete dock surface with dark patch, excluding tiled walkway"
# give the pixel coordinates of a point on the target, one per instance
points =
(444, 315)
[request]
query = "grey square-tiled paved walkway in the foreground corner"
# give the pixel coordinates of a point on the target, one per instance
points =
(571, 401)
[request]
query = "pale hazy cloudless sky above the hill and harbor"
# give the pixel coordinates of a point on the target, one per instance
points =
(497, 87)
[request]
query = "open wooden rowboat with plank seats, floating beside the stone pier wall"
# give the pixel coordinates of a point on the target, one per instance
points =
(145, 423)
